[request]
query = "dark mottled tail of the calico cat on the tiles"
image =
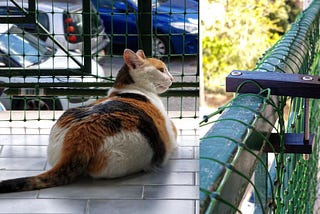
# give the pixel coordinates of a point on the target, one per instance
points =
(64, 172)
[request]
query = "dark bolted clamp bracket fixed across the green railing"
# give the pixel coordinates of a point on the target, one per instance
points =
(282, 84)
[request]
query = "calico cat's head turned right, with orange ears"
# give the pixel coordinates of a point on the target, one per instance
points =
(141, 72)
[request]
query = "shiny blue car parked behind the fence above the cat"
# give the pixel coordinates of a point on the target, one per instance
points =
(175, 25)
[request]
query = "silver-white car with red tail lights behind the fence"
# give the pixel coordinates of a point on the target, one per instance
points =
(64, 21)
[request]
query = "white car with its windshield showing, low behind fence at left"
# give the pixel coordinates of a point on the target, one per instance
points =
(20, 49)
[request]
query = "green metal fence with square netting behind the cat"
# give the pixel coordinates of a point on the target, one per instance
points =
(90, 41)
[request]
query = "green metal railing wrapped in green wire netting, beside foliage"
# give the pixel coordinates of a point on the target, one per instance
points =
(232, 151)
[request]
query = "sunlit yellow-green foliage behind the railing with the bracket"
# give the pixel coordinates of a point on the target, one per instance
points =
(241, 32)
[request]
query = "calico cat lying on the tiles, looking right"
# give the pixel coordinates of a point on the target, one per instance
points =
(126, 132)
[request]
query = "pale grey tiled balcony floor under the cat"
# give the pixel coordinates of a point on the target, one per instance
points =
(172, 189)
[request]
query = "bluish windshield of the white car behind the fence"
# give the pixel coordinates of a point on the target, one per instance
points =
(23, 47)
